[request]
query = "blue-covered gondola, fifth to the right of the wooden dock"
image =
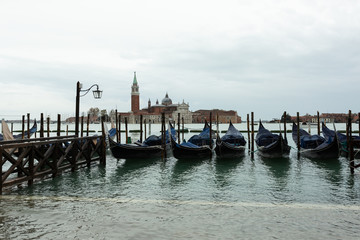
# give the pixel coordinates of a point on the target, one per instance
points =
(315, 146)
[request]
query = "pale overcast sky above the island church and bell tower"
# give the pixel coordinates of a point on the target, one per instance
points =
(262, 56)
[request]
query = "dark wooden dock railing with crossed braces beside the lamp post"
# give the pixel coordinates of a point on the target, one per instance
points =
(30, 159)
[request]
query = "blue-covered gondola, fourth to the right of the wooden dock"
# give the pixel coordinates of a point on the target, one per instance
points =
(271, 145)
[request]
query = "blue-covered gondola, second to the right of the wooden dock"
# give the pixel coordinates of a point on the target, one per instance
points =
(198, 146)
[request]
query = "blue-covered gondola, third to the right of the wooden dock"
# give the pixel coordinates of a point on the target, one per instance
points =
(232, 144)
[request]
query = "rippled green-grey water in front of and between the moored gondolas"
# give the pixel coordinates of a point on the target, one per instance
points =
(214, 198)
